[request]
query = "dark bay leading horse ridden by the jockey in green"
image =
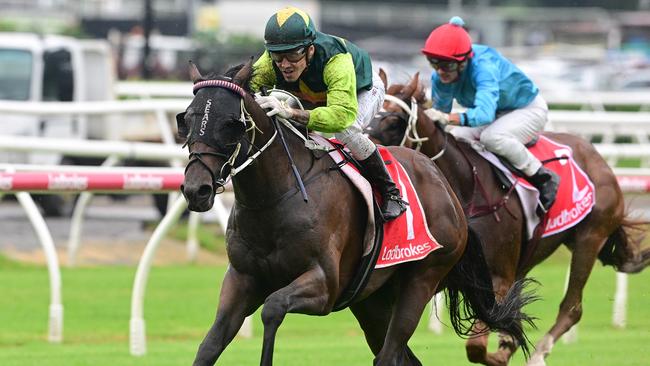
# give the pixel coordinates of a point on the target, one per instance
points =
(297, 255)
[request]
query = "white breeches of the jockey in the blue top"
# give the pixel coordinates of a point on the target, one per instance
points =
(508, 134)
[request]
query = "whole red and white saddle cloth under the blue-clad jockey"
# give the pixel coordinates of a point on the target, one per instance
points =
(575, 196)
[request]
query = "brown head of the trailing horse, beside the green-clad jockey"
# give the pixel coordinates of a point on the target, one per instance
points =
(390, 125)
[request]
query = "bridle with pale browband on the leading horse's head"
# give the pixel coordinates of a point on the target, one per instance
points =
(228, 169)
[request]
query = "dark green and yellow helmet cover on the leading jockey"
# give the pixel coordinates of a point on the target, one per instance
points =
(288, 29)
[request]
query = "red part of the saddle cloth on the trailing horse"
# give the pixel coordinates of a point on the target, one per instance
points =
(576, 195)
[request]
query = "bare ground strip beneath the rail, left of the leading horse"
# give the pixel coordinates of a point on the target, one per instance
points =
(113, 233)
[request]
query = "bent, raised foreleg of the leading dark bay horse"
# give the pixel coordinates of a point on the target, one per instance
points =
(307, 294)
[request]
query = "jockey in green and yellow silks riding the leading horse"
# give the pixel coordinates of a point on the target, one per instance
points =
(334, 81)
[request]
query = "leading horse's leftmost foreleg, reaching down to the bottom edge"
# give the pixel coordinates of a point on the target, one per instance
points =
(235, 303)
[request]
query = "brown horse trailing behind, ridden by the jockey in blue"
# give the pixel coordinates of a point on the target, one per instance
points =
(604, 233)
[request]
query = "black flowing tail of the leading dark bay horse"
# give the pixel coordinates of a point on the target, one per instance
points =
(471, 278)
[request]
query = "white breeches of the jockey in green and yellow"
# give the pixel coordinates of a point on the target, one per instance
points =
(370, 102)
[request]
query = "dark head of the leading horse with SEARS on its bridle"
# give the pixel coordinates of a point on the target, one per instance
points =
(214, 128)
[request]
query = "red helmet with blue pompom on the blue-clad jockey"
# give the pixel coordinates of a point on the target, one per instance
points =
(449, 41)
